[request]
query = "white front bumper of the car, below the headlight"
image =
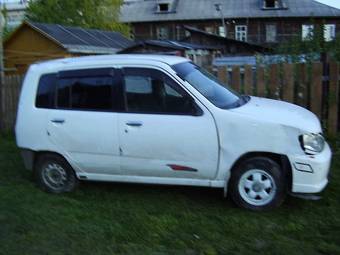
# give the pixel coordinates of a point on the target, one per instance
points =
(310, 172)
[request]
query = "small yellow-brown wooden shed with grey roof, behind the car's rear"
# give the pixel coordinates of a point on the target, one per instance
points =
(32, 42)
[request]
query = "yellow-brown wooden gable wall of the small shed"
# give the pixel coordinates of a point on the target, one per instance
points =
(27, 46)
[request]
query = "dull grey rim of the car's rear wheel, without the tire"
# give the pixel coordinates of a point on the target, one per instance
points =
(54, 176)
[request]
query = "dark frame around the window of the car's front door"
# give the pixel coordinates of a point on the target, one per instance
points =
(198, 111)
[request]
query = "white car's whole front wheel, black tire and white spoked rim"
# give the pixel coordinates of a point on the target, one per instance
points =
(258, 184)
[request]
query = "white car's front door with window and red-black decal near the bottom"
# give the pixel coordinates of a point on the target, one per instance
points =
(163, 131)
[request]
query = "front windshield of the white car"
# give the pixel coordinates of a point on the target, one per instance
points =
(209, 86)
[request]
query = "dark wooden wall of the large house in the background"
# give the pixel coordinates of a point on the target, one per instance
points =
(287, 28)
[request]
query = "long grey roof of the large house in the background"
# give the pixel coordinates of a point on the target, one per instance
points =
(146, 10)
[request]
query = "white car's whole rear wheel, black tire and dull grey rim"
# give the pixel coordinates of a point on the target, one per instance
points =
(54, 175)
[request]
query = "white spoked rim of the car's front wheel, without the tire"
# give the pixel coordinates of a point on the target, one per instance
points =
(257, 187)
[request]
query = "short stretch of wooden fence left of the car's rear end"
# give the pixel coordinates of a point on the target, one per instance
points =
(9, 100)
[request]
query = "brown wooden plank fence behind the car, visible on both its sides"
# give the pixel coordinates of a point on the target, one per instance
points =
(314, 86)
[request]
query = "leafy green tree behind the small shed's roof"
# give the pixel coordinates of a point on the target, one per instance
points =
(98, 14)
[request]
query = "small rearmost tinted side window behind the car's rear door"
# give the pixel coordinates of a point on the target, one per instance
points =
(46, 91)
